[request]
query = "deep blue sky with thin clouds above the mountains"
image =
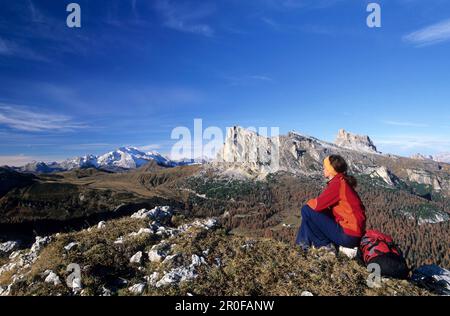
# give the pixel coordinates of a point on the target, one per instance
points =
(137, 69)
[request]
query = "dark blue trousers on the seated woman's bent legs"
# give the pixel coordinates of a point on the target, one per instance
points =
(320, 229)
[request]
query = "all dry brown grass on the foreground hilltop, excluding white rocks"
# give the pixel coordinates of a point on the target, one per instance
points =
(263, 267)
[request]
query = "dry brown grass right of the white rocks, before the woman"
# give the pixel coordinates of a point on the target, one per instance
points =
(272, 268)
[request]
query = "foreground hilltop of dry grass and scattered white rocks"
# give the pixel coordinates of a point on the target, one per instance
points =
(200, 259)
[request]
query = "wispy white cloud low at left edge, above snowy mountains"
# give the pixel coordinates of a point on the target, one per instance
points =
(33, 120)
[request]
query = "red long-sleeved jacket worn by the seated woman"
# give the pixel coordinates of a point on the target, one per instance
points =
(348, 210)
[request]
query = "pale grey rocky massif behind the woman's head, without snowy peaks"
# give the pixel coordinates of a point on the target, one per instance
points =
(247, 154)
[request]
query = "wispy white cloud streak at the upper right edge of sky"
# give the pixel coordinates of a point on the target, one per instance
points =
(433, 34)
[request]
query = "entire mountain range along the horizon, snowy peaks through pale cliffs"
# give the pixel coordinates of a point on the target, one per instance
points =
(255, 153)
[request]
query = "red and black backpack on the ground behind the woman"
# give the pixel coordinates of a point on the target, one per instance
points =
(379, 248)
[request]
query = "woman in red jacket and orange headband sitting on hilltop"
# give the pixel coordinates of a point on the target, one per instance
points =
(337, 216)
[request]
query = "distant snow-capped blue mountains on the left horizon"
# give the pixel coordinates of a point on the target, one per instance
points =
(123, 158)
